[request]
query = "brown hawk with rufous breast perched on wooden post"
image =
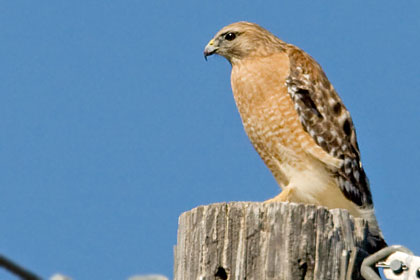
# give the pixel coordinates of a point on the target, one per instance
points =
(296, 122)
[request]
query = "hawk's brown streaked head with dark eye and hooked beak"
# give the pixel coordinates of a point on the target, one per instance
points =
(243, 39)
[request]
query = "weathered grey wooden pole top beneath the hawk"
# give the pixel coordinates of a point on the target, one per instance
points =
(257, 241)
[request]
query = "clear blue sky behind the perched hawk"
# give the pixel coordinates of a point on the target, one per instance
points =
(112, 124)
